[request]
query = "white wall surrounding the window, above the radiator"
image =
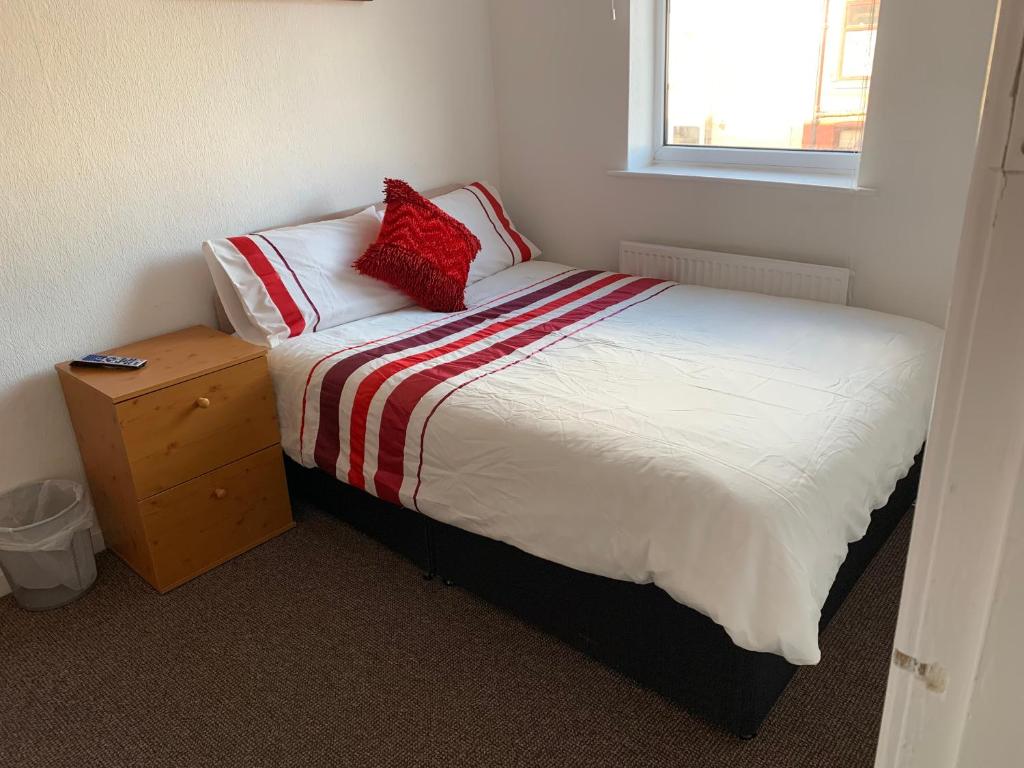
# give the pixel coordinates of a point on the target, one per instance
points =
(563, 78)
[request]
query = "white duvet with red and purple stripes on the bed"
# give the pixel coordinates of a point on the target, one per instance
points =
(724, 446)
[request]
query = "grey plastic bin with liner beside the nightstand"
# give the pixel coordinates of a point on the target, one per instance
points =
(47, 543)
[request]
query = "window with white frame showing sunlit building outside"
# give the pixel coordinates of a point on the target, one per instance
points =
(765, 82)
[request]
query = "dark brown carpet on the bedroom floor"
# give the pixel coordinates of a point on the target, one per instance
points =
(324, 649)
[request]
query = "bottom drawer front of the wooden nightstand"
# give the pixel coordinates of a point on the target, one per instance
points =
(204, 523)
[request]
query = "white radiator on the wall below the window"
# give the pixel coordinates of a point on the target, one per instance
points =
(774, 277)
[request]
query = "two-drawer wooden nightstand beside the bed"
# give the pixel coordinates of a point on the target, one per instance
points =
(184, 456)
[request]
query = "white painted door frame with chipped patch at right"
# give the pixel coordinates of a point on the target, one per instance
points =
(976, 445)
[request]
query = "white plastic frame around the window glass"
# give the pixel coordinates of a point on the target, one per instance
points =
(802, 161)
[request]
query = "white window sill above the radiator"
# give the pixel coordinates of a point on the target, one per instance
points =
(793, 178)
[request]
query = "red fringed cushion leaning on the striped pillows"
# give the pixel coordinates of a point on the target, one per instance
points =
(421, 250)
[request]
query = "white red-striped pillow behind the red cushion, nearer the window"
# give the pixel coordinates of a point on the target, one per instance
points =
(480, 207)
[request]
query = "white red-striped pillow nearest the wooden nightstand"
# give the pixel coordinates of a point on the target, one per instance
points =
(301, 280)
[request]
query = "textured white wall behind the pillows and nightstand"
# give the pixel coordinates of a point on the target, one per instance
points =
(132, 131)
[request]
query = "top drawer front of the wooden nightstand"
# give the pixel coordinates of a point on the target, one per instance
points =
(183, 432)
